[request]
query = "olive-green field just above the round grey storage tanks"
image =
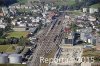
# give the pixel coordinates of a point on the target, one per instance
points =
(7, 48)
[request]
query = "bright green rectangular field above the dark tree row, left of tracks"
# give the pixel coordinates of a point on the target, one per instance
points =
(17, 34)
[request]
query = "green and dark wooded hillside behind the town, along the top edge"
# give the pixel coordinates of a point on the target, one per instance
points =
(72, 4)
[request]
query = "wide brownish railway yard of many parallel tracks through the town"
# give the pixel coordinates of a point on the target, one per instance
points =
(46, 43)
